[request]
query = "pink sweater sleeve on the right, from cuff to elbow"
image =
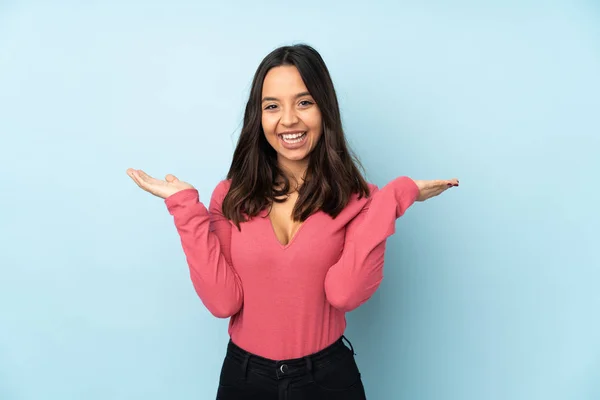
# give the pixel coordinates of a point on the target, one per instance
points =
(359, 271)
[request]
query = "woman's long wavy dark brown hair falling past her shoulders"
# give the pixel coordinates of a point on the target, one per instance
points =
(333, 174)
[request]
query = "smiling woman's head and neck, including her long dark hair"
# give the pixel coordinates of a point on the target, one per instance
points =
(292, 148)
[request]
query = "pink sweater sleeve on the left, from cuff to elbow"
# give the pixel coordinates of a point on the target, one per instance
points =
(206, 238)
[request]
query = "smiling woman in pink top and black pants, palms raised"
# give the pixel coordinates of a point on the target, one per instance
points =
(292, 240)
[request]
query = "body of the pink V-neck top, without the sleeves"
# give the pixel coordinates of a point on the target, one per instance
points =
(285, 313)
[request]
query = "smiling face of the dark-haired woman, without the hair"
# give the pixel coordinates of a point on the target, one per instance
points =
(291, 119)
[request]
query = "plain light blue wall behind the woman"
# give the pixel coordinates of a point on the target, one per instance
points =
(490, 291)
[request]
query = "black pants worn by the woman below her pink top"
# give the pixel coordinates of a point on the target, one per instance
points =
(330, 374)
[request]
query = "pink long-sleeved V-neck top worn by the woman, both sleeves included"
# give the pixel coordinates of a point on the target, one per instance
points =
(288, 301)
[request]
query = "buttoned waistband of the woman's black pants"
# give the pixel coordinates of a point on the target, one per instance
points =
(280, 369)
